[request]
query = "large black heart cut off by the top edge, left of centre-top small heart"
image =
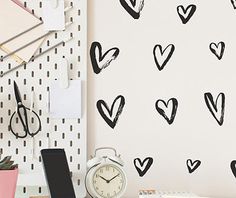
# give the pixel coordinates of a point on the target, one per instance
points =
(134, 8)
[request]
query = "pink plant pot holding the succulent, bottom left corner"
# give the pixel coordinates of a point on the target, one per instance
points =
(8, 180)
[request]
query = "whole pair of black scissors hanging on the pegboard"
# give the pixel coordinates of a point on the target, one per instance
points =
(21, 112)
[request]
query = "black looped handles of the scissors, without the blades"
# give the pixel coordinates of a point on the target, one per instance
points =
(24, 122)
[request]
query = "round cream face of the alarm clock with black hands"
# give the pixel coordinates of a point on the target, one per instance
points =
(109, 181)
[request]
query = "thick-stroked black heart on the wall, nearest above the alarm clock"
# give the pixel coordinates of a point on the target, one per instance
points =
(112, 117)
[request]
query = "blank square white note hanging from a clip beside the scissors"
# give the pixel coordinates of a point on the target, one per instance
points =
(65, 103)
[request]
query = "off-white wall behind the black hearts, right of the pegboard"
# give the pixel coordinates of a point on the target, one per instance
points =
(192, 71)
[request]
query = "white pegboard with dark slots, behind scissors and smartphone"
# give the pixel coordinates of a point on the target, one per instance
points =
(69, 134)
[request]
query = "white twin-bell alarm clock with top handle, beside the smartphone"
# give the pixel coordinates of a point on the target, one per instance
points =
(105, 177)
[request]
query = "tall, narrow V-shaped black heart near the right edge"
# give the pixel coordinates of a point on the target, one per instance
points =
(216, 109)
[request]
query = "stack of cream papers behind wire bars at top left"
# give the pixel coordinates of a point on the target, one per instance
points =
(18, 20)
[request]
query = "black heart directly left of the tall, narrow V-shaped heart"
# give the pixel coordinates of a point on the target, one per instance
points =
(162, 112)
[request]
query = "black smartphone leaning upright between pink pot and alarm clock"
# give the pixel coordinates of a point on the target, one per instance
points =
(57, 173)
